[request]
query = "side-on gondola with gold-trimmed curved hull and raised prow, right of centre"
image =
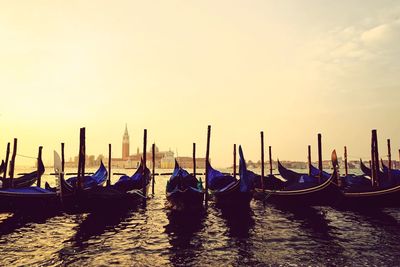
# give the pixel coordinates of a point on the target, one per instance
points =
(307, 192)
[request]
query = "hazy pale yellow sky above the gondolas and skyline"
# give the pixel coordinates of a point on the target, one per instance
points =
(290, 68)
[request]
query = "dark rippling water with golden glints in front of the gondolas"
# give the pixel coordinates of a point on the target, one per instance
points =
(153, 236)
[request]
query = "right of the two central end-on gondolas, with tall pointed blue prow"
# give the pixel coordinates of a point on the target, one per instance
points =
(228, 191)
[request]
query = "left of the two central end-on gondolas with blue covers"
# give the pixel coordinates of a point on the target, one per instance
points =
(183, 190)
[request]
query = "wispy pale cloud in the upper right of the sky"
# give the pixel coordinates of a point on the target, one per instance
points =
(363, 55)
